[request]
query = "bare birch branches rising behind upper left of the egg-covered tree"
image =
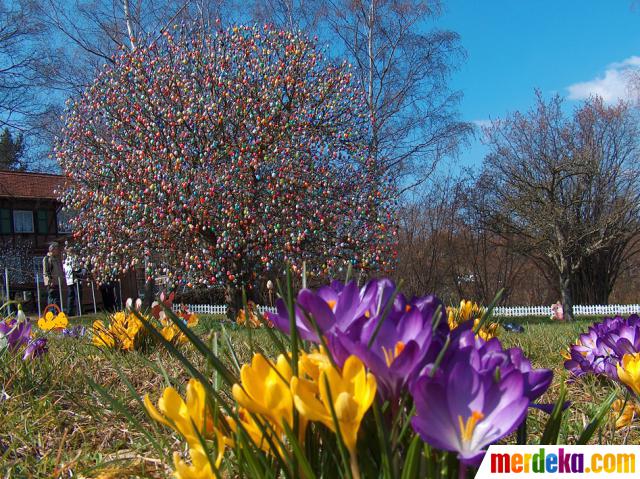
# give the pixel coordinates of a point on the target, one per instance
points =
(85, 34)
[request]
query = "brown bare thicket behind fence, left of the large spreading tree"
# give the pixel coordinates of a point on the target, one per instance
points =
(443, 248)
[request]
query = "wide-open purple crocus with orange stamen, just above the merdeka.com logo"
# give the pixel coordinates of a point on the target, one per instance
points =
(467, 410)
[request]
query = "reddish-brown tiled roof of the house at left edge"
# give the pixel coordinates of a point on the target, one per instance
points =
(22, 184)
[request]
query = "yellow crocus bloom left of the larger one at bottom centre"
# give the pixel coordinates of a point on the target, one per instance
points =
(265, 389)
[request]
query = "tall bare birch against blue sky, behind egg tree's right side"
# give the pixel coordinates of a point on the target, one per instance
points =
(403, 64)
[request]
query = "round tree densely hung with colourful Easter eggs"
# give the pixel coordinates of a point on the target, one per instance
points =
(217, 158)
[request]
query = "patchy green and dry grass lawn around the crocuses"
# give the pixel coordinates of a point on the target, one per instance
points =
(54, 424)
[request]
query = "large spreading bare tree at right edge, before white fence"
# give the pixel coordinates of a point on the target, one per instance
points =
(566, 188)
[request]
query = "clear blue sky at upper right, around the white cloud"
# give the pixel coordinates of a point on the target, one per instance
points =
(568, 47)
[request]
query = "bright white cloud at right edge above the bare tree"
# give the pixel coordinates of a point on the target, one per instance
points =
(612, 86)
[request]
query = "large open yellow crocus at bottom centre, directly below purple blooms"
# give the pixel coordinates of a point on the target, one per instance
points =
(352, 392)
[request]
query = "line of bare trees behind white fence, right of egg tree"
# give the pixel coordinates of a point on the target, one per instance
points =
(553, 212)
